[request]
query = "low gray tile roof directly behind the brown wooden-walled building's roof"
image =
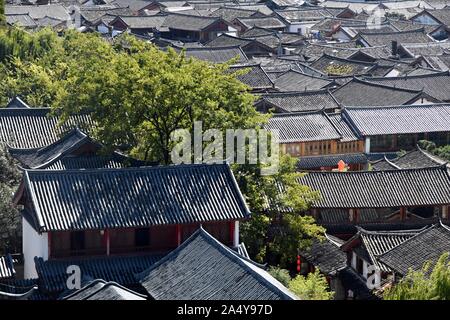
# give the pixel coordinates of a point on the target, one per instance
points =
(300, 101)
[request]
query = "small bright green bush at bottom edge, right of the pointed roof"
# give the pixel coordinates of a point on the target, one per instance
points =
(312, 287)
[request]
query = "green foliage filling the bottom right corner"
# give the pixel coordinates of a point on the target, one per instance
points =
(423, 285)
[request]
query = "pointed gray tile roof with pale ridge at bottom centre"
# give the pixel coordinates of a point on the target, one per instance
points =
(215, 273)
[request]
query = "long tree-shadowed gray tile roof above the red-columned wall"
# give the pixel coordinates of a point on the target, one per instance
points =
(154, 196)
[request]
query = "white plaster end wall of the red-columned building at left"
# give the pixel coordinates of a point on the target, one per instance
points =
(34, 245)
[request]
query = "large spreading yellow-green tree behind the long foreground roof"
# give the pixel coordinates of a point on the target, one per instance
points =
(139, 95)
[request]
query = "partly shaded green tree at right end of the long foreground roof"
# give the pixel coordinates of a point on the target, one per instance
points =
(277, 228)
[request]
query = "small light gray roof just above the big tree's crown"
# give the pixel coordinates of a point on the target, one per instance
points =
(217, 54)
